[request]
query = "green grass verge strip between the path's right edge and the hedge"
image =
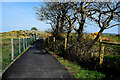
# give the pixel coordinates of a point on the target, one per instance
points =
(78, 71)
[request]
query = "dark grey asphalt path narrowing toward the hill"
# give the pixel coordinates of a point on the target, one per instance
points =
(36, 64)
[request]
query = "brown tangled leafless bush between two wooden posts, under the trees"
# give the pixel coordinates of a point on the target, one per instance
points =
(77, 51)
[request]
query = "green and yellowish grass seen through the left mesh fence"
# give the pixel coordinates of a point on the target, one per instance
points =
(6, 51)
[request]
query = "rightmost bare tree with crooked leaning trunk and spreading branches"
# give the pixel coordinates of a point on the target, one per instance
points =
(105, 15)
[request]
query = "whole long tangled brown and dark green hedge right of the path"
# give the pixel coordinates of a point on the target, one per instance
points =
(77, 51)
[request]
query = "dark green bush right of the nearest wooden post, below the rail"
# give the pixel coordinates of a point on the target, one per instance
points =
(111, 65)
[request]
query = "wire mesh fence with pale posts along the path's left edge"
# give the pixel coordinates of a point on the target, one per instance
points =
(11, 48)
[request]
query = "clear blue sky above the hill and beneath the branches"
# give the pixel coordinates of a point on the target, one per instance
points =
(21, 16)
